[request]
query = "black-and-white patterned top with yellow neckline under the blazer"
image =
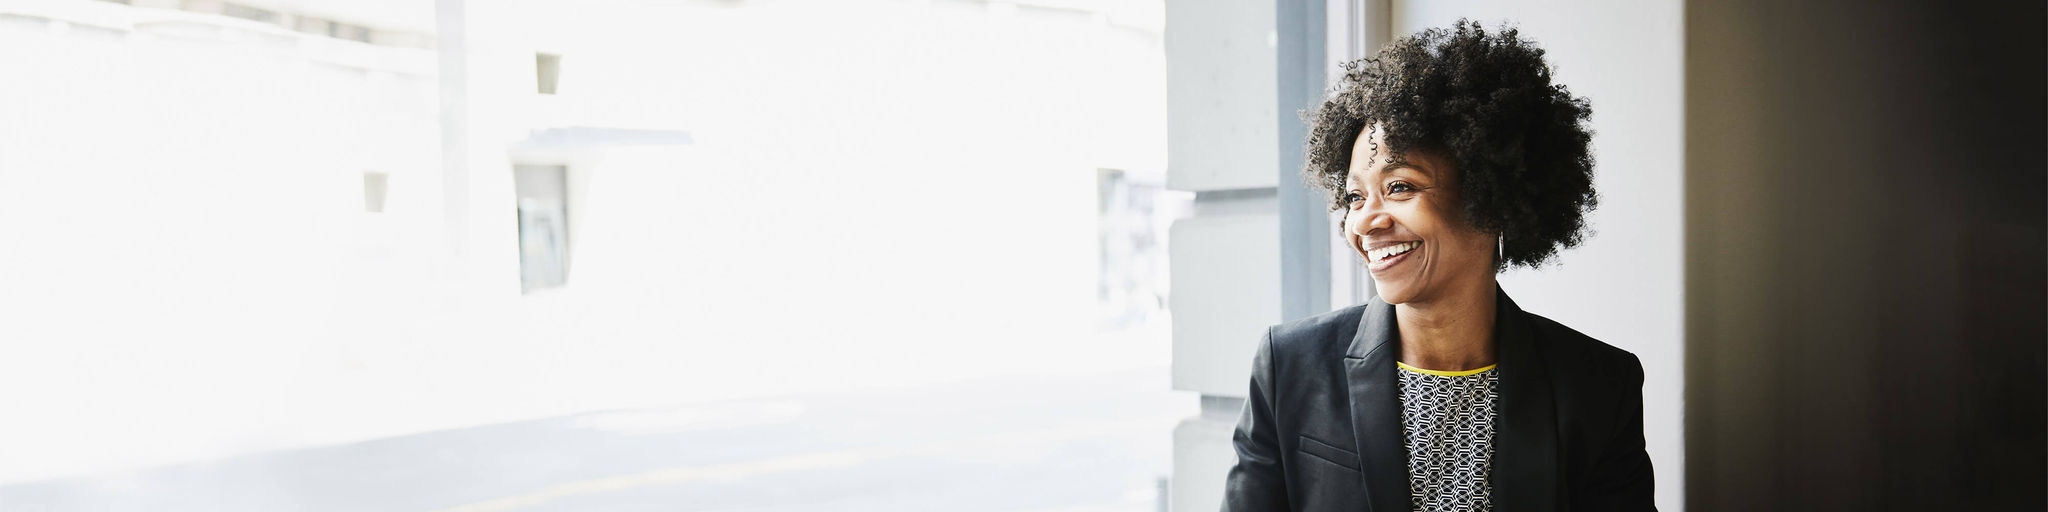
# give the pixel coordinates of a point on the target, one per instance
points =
(1449, 425)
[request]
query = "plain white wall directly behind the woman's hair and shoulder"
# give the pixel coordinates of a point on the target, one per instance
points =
(1627, 284)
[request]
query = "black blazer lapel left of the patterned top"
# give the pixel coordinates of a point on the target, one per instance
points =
(1377, 409)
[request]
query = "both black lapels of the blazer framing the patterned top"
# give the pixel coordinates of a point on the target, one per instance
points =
(1525, 427)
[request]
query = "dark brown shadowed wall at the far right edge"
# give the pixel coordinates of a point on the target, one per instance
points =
(1867, 255)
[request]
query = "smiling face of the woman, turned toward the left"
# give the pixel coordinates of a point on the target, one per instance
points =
(1406, 222)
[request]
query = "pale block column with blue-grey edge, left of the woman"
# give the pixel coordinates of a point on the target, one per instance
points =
(1256, 251)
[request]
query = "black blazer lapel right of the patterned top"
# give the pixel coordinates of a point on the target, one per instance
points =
(1525, 431)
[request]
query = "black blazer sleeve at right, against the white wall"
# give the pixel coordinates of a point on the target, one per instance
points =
(1623, 478)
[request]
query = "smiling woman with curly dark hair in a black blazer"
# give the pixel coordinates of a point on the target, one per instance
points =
(1453, 157)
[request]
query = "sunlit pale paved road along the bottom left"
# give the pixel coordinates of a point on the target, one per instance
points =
(1066, 443)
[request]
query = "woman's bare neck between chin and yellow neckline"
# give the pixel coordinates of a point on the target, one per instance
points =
(1451, 333)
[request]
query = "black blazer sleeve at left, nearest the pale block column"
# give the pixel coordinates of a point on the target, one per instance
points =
(1256, 482)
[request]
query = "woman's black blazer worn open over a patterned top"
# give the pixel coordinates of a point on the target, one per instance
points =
(1322, 429)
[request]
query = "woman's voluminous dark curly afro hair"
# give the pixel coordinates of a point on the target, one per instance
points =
(1486, 103)
